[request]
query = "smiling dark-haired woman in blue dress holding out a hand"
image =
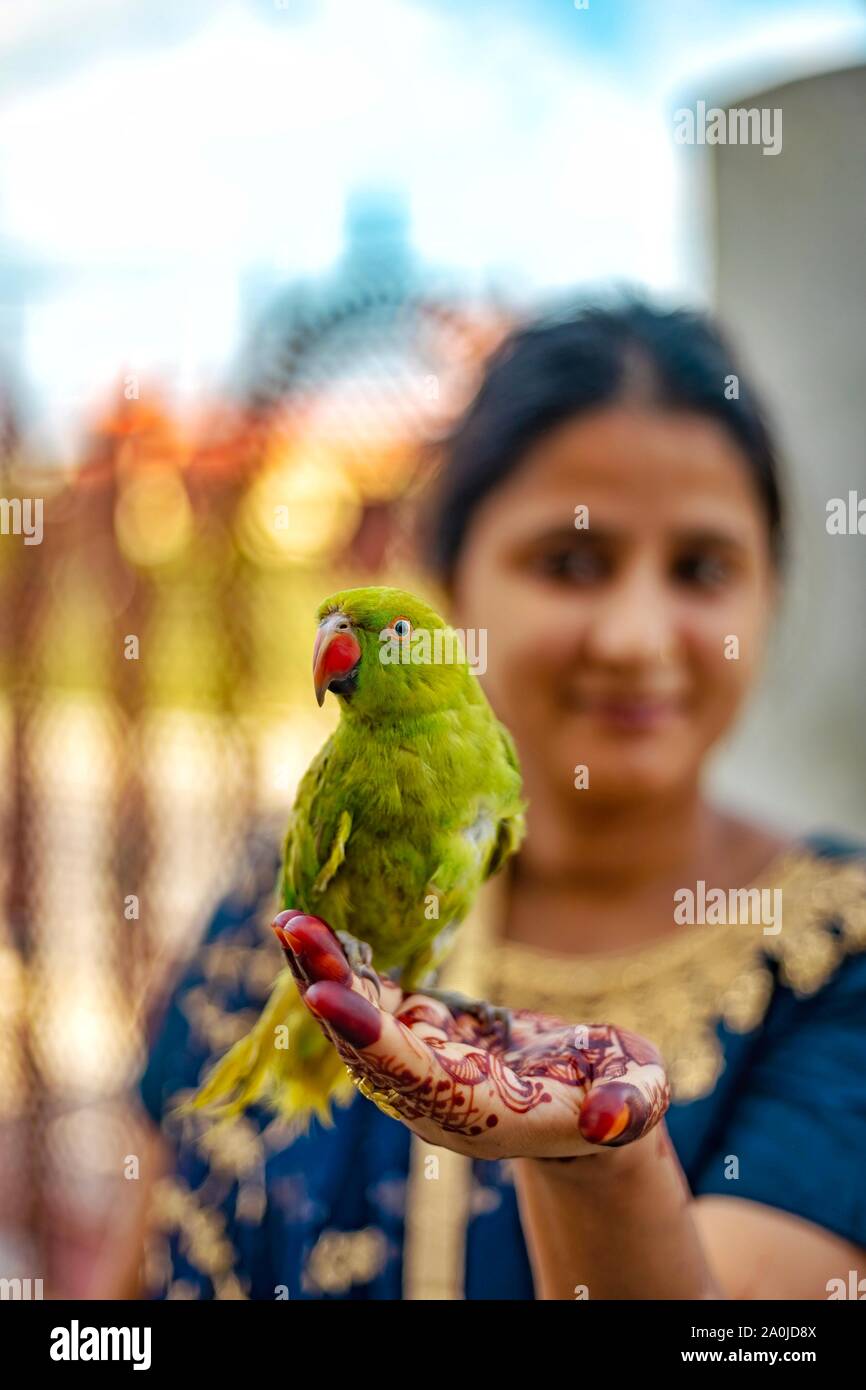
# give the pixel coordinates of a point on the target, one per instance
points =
(612, 523)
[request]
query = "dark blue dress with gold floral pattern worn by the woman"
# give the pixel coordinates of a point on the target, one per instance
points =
(771, 1106)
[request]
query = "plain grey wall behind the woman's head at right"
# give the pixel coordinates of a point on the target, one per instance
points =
(789, 263)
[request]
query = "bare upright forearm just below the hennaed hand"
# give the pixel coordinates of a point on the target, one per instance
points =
(614, 1225)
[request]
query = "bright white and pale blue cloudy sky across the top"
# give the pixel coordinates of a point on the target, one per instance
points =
(154, 154)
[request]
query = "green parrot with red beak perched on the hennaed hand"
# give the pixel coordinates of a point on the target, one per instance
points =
(407, 810)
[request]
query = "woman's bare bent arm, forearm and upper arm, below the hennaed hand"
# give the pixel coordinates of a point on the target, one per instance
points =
(623, 1225)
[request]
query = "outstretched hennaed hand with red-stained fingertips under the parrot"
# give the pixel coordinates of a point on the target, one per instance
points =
(550, 1090)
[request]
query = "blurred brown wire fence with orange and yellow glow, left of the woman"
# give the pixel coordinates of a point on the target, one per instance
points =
(156, 711)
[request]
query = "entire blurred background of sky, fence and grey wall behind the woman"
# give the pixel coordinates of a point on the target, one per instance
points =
(252, 258)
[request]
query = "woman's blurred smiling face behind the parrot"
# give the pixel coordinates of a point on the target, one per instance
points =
(626, 644)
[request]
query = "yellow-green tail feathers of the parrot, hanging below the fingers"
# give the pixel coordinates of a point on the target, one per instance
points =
(284, 1063)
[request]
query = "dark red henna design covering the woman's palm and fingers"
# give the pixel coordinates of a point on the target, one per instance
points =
(461, 1092)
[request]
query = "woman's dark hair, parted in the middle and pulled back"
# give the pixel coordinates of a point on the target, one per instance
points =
(555, 369)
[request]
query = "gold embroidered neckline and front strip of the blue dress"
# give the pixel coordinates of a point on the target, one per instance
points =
(673, 992)
